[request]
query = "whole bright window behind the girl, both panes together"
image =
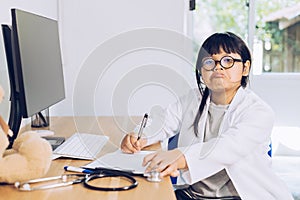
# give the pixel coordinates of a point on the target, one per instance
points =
(276, 45)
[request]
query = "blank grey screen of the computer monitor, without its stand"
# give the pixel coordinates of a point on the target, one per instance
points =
(38, 61)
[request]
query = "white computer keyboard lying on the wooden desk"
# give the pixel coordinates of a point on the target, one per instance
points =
(82, 146)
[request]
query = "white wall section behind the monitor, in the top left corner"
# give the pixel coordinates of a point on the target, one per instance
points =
(45, 8)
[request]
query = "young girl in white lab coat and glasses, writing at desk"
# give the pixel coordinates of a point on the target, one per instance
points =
(224, 131)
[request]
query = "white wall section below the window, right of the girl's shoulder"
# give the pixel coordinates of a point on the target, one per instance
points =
(281, 92)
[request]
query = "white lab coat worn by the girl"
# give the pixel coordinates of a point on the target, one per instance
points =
(241, 148)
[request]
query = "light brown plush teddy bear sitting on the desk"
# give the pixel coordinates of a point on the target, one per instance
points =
(29, 158)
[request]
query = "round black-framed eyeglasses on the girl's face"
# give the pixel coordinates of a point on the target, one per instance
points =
(226, 62)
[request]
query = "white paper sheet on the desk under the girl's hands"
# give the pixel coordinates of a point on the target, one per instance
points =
(122, 161)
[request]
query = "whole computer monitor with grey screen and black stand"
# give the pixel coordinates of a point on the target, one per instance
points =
(34, 63)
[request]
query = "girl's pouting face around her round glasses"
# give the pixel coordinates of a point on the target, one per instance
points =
(222, 80)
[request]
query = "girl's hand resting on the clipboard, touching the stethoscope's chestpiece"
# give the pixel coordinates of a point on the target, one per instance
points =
(165, 162)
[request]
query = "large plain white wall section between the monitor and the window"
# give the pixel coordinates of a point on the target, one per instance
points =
(122, 58)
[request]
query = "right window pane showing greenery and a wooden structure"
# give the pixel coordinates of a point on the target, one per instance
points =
(278, 35)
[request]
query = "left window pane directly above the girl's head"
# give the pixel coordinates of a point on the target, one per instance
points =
(218, 16)
